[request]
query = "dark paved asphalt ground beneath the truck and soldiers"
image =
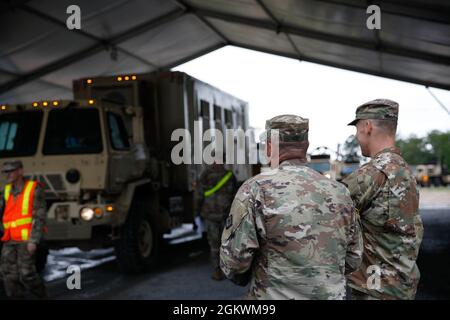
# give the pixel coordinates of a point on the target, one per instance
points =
(183, 271)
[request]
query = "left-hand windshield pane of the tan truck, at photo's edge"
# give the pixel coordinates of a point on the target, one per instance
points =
(19, 133)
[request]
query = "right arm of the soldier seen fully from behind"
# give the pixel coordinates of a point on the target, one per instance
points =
(355, 244)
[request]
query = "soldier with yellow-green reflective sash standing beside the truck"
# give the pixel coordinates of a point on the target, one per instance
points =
(216, 190)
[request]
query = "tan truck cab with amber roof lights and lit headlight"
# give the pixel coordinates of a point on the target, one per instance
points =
(71, 148)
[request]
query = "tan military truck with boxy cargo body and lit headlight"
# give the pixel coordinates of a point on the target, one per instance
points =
(104, 158)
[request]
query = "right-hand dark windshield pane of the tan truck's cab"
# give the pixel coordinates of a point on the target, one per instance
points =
(73, 131)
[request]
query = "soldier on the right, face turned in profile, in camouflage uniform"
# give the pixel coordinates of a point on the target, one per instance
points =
(386, 197)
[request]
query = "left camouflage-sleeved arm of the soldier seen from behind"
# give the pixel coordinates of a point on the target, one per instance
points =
(239, 238)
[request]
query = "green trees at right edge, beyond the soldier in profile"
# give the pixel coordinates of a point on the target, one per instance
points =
(431, 149)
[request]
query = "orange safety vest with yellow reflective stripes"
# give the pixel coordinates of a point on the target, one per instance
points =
(17, 215)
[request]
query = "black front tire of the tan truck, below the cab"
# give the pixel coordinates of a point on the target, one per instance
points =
(137, 248)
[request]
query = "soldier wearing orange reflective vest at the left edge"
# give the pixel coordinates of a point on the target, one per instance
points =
(18, 257)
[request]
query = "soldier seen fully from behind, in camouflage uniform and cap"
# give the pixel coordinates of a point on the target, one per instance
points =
(291, 231)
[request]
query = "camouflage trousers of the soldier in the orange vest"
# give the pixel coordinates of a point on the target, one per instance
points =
(19, 271)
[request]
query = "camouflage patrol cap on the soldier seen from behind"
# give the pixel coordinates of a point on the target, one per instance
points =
(290, 127)
